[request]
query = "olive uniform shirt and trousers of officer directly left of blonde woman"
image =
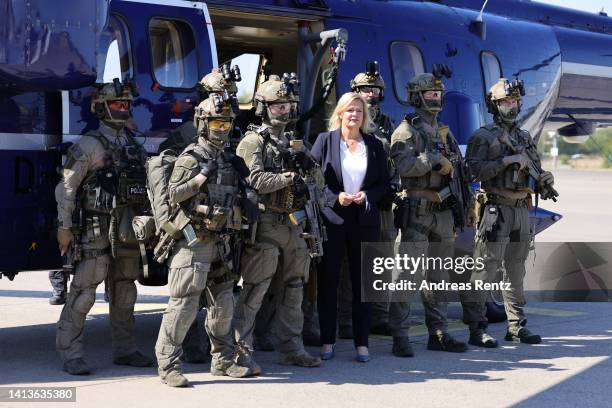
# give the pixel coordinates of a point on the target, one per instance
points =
(278, 249)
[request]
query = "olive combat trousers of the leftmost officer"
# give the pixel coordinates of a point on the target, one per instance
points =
(89, 273)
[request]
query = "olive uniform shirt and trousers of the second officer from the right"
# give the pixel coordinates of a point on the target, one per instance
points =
(416, 145)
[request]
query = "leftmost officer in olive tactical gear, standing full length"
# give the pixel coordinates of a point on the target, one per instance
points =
(102, 189)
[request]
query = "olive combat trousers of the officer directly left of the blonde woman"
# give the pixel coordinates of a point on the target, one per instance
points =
(279, 250)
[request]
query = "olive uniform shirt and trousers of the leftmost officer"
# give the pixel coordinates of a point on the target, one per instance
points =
(91, 153)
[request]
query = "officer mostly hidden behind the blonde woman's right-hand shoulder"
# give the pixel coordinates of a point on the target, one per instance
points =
(371, 86)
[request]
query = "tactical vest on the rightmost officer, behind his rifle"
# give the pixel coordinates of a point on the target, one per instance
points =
(510, 178)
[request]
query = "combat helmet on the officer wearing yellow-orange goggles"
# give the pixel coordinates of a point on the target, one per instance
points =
(213, 120)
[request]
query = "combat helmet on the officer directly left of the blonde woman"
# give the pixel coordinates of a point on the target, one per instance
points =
(277, 90)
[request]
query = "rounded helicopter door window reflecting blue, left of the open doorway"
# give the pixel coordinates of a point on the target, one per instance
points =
(173, 51)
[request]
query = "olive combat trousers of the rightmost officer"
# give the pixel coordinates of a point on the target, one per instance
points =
(510, 246)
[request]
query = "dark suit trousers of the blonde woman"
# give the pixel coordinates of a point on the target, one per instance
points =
(344, 238)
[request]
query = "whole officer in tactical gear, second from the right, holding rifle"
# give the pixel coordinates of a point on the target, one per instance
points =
(427, 158)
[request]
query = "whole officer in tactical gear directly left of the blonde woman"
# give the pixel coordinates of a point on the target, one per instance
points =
(266, 151)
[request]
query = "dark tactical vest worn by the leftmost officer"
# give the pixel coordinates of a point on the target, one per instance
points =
(122, 180)
